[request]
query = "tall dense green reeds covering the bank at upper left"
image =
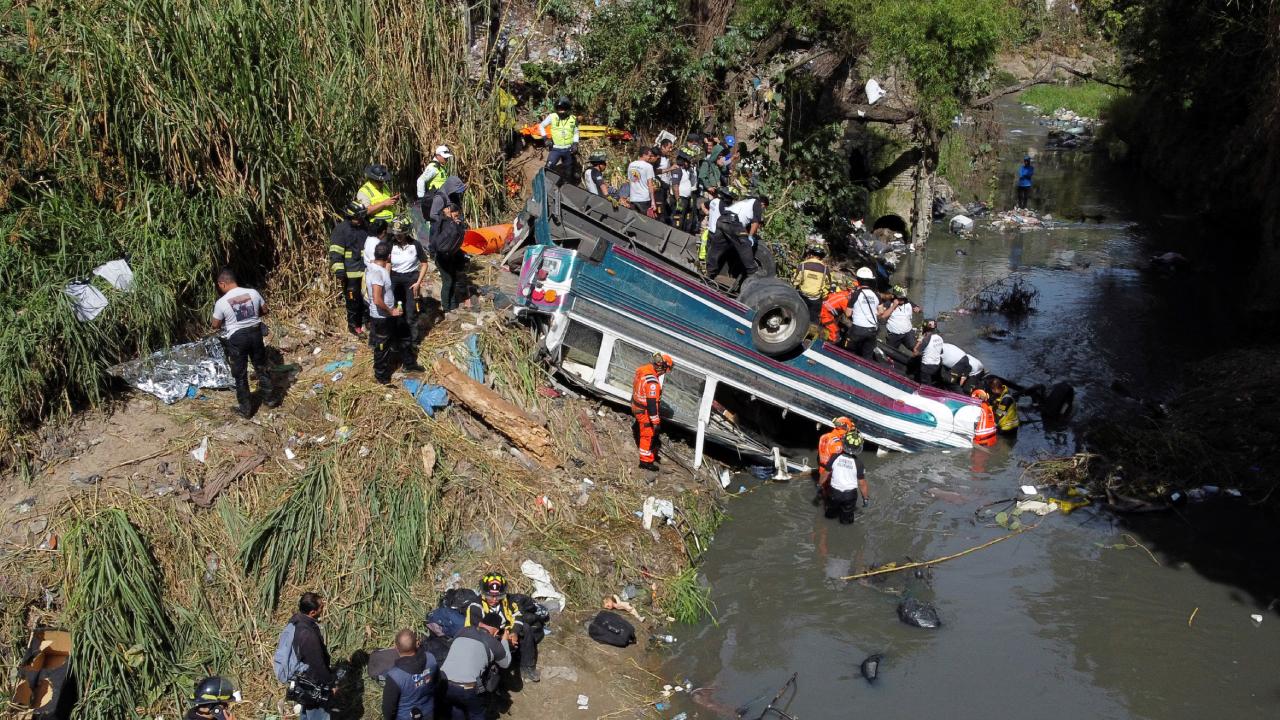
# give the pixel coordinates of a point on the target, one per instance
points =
(186, 135)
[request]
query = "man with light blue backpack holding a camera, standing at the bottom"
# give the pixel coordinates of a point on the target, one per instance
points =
(303, 660)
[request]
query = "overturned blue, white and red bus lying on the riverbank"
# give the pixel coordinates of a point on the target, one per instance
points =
(607, 288)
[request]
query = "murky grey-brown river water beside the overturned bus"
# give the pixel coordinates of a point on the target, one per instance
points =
(1055, 623)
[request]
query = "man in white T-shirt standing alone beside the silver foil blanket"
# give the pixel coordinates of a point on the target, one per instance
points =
(239, 316)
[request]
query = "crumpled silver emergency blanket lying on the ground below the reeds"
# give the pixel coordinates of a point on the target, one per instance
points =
(168, 373)
